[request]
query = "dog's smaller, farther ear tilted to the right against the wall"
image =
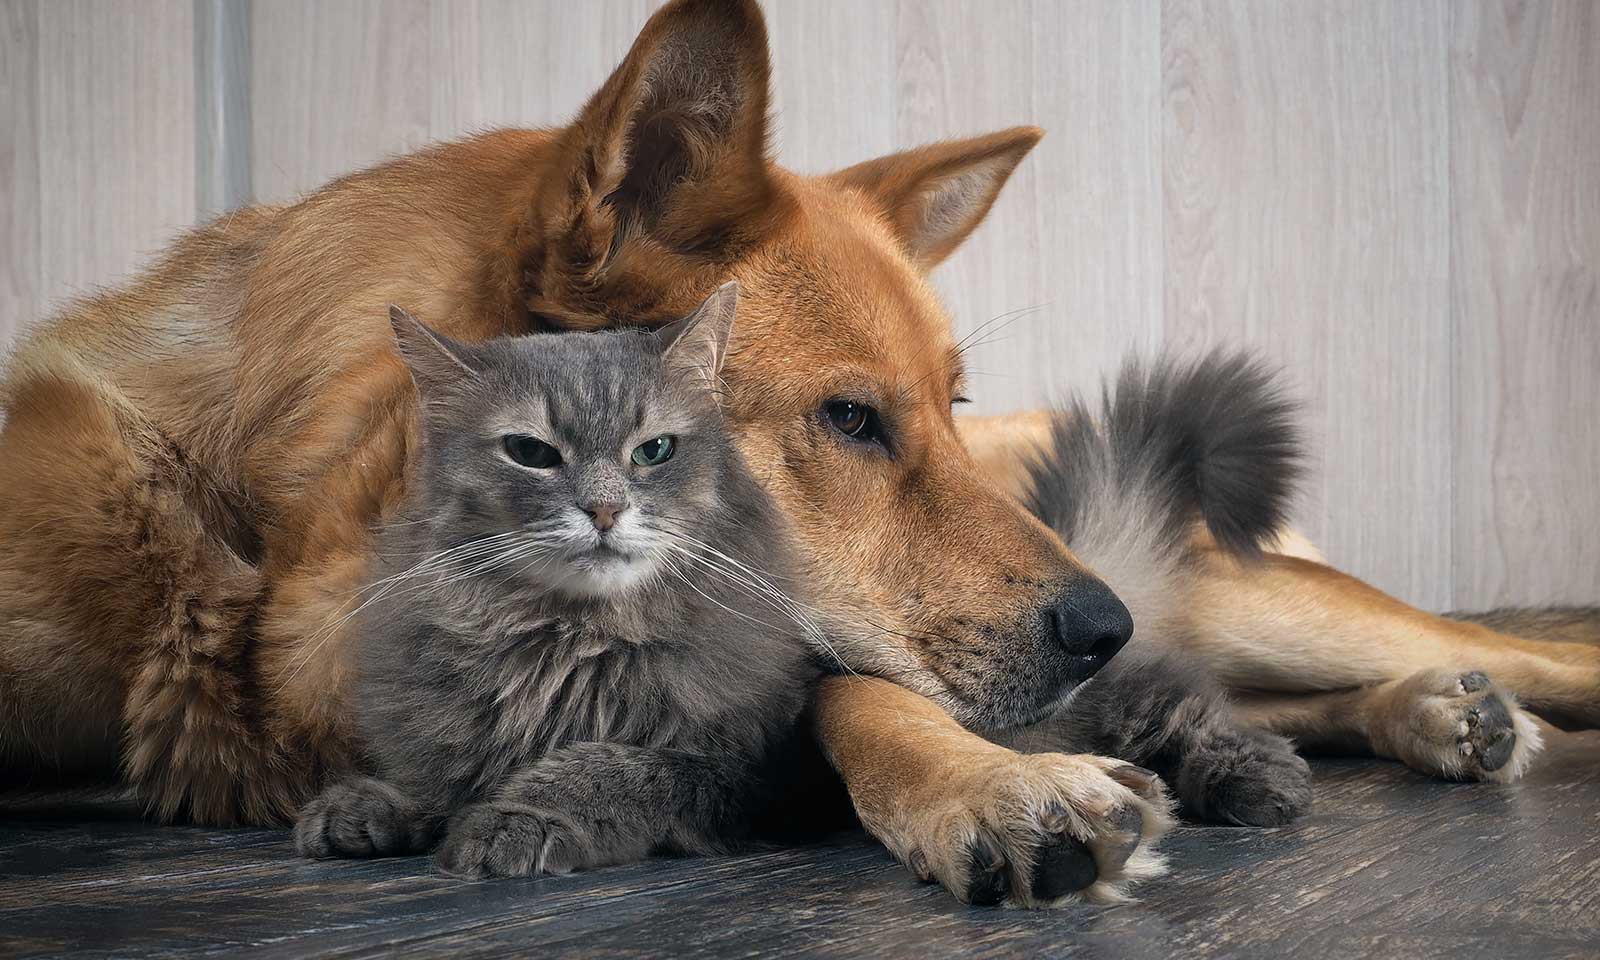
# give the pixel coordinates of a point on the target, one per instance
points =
(937, 196)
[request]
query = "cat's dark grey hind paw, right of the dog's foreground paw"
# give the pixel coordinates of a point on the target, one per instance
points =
(1246, 778)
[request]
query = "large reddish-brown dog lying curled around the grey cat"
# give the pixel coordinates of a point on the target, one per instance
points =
(193, 468)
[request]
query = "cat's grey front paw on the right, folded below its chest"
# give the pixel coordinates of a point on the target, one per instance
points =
(511, 841)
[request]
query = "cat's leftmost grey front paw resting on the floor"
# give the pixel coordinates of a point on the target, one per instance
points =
(359, 818)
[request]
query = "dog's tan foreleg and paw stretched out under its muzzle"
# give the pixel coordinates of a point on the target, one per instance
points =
(988, 823)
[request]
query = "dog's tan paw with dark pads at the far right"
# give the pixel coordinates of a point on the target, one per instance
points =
(1457, 726)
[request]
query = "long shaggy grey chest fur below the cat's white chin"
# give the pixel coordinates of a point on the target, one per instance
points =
(462, 687)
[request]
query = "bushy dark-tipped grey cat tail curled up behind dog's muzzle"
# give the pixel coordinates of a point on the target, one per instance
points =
(1174, 444)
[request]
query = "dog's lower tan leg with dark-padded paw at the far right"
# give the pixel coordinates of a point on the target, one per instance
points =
(1441, 722)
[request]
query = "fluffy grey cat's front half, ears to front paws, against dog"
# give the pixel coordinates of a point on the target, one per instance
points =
(567, 657)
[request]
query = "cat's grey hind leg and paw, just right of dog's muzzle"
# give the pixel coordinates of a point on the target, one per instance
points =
(1159, 710)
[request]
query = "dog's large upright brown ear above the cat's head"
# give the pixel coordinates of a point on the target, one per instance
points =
(665, 172)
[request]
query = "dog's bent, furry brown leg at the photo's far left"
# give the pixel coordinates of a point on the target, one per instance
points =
(126, 617)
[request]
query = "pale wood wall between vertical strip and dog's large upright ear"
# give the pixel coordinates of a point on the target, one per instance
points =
(342, 86)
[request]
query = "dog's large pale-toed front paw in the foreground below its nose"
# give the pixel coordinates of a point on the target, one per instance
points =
(1034, 830)
